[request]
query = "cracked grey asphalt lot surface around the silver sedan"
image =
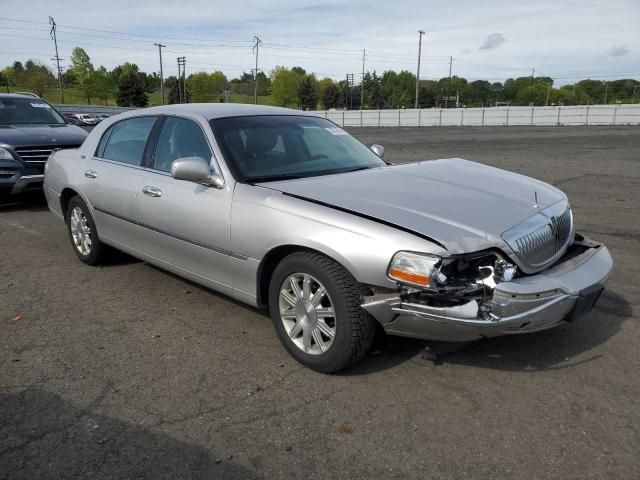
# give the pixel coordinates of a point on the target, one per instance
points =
(126, 372)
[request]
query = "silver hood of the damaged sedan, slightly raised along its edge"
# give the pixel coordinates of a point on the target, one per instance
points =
(463, 205)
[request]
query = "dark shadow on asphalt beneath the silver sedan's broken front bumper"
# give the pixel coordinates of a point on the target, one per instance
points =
(547, 350)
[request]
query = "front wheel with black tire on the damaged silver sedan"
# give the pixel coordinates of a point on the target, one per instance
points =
(353, 328)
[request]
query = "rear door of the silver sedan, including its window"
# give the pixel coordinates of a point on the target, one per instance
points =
(111, 177)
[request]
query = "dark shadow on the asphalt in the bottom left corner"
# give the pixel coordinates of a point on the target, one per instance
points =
(46, 437)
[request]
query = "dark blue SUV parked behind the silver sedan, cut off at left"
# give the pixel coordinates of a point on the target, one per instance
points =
(30, 129)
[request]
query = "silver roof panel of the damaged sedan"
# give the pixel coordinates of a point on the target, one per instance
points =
(222, 110)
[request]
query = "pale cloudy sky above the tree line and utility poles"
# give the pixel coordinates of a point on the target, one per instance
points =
(565, 39)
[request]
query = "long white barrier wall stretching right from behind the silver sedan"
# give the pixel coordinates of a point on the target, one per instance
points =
(488, 116)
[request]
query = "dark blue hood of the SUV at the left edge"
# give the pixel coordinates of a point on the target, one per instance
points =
(31, 135)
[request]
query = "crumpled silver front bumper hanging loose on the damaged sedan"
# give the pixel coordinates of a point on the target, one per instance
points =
(532, 303)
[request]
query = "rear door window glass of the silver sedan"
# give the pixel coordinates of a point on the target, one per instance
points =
(125, 141)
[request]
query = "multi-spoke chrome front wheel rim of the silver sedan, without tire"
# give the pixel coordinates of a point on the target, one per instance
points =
(307, 313)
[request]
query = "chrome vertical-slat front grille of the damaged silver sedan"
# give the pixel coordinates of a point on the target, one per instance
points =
(543, 238)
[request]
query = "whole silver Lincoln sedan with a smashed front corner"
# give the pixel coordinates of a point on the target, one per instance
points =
(282, 209)
